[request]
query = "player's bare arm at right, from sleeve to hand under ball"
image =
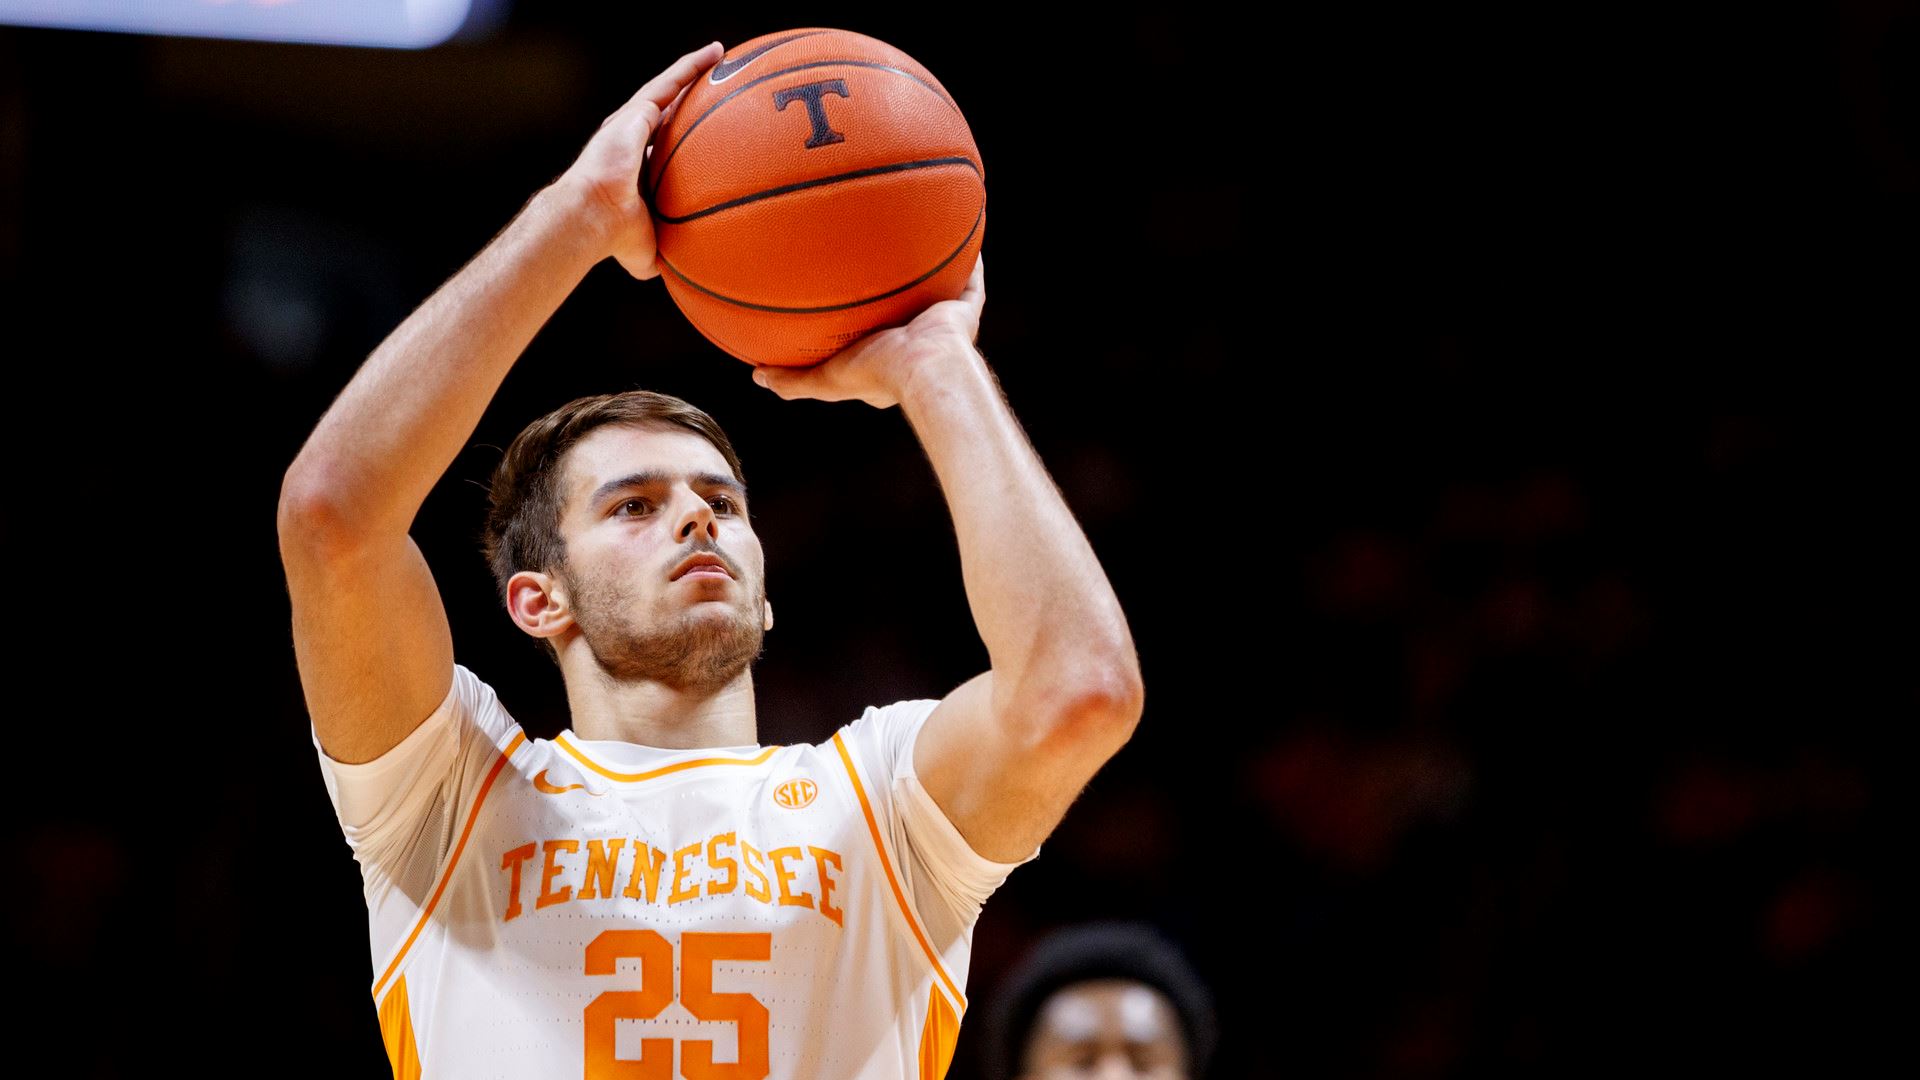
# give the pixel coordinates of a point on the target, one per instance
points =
(1011, 749)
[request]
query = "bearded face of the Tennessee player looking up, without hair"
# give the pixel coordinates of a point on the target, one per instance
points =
(627, 541)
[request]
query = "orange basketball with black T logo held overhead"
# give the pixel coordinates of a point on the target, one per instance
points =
(811, 187)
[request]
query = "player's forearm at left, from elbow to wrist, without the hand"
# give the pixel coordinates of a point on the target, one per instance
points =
(416, 401)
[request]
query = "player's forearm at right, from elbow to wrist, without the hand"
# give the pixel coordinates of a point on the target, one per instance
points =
(1040, 597)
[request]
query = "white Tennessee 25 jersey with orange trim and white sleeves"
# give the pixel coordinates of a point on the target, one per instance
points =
(575, 908)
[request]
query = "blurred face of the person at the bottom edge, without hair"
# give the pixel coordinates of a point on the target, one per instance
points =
(1107, 1029)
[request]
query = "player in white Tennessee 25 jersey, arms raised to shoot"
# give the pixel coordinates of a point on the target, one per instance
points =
(654, 893)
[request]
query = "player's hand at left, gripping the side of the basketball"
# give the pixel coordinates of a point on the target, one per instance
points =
(608, 172)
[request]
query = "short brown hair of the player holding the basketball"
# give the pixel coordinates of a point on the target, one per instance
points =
(525, 501)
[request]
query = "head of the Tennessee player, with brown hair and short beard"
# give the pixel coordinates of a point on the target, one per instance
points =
(596, 506)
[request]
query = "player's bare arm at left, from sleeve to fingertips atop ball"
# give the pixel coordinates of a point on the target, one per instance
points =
(370, 631)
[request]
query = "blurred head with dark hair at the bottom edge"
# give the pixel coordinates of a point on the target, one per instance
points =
(1103, 1000)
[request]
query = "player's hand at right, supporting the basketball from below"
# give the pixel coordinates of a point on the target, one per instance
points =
(878, 366)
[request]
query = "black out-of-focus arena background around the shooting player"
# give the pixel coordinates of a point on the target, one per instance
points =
(1489, 424)
